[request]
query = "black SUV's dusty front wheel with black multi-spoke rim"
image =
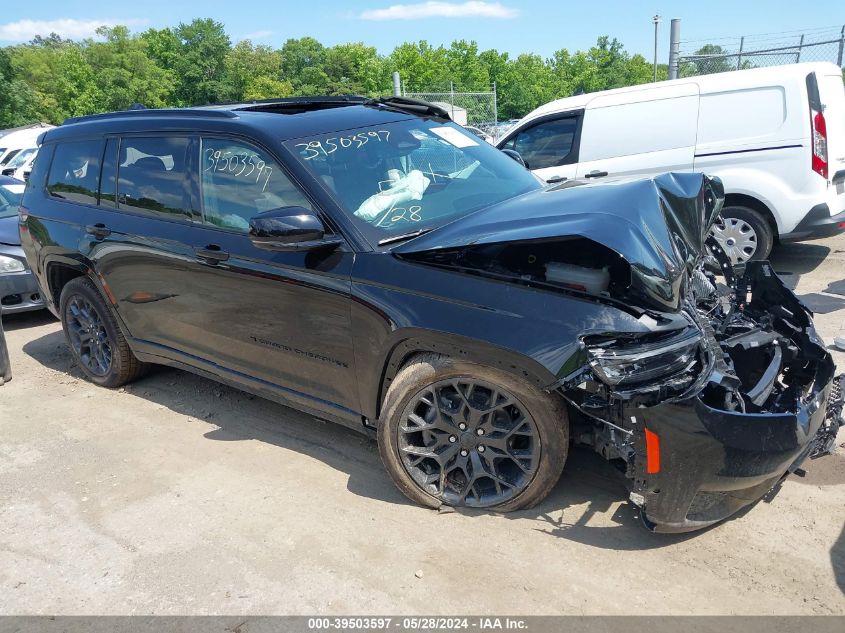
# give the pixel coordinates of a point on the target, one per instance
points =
(460, 434)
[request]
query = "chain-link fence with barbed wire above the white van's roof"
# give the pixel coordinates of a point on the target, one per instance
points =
(739, 53)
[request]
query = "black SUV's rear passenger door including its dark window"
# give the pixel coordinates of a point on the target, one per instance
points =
(137, 236)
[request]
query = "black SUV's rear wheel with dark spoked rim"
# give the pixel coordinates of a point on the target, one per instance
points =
(94, 337)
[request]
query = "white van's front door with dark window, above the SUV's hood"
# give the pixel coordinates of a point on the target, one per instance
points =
(549, 145)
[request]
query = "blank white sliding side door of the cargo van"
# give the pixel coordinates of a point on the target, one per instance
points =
(644, 132)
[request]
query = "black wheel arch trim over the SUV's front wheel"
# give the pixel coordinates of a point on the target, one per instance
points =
(406, 345)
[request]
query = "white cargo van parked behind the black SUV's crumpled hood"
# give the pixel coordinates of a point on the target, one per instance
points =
(775, 136)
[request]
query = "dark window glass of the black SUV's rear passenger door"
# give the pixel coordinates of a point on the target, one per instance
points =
(153, 176)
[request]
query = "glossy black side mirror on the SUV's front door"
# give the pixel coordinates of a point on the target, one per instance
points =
(289, 229)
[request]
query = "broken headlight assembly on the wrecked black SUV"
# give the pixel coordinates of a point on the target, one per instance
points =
(622, 362)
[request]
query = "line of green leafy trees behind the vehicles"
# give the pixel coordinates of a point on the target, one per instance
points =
(51, 78)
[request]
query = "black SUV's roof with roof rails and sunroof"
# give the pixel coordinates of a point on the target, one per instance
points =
(301, 116)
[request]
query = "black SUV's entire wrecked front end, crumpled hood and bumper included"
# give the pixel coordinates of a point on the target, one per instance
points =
(706, 391)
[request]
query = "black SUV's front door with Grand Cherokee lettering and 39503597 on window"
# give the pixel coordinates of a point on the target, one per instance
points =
(281, 317)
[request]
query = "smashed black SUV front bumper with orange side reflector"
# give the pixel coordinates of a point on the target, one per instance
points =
(703, 444)
